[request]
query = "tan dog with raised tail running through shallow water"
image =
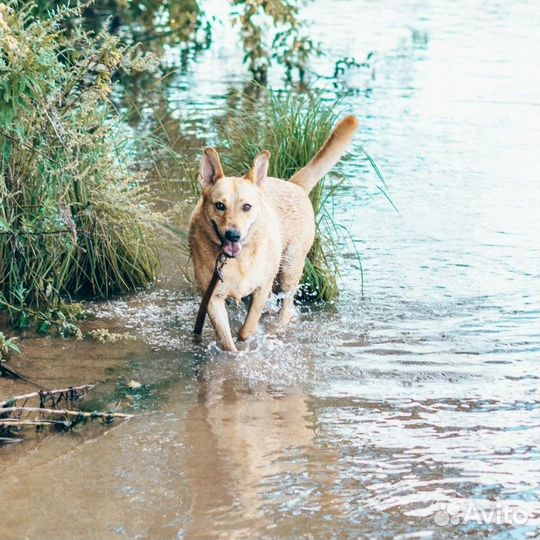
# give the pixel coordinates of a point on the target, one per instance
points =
(265, 226)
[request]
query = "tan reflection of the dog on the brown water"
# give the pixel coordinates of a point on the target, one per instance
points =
(236, 433)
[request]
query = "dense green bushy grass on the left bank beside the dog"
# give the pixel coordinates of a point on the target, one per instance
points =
(74, 216)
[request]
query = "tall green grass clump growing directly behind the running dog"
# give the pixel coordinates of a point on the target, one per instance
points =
(293, 128)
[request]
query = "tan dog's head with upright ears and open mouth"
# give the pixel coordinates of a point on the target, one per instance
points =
(231, 204)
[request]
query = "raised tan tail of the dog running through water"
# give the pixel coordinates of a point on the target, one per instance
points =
(308, 176)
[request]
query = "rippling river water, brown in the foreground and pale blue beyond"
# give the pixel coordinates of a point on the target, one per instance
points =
(411, 411)
